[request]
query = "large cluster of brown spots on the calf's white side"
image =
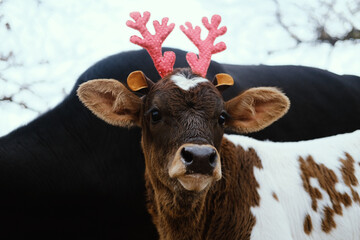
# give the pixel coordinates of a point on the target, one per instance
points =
(327, 181)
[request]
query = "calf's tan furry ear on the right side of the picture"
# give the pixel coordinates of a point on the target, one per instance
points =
(255, 109)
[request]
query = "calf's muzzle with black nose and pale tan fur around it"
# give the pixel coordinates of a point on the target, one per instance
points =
(195, 166)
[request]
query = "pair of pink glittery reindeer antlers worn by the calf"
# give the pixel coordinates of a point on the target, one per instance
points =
(152, 43)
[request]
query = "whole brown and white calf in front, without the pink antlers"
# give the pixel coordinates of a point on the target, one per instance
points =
(202, 184)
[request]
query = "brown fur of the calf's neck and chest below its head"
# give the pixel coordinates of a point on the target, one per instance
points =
(221, 212)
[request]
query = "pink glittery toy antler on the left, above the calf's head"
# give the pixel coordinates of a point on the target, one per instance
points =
(152, 43)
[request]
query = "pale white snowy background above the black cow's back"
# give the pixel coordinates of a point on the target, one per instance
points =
(46, 44)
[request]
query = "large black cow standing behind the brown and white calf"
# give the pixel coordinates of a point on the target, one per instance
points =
(68, 174)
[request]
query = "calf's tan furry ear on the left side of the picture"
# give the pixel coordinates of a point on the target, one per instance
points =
(111, 101)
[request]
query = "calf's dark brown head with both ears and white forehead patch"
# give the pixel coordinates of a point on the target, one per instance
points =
(183, 117)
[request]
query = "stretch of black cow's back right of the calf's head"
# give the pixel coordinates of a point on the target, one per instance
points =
(322, 103)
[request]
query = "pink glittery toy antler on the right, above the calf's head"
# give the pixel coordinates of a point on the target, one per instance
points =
(206, 47)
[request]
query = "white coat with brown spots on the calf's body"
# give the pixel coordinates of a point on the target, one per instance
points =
(308, 190)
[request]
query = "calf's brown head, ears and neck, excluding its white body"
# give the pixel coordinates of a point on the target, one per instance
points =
(194, 180)
